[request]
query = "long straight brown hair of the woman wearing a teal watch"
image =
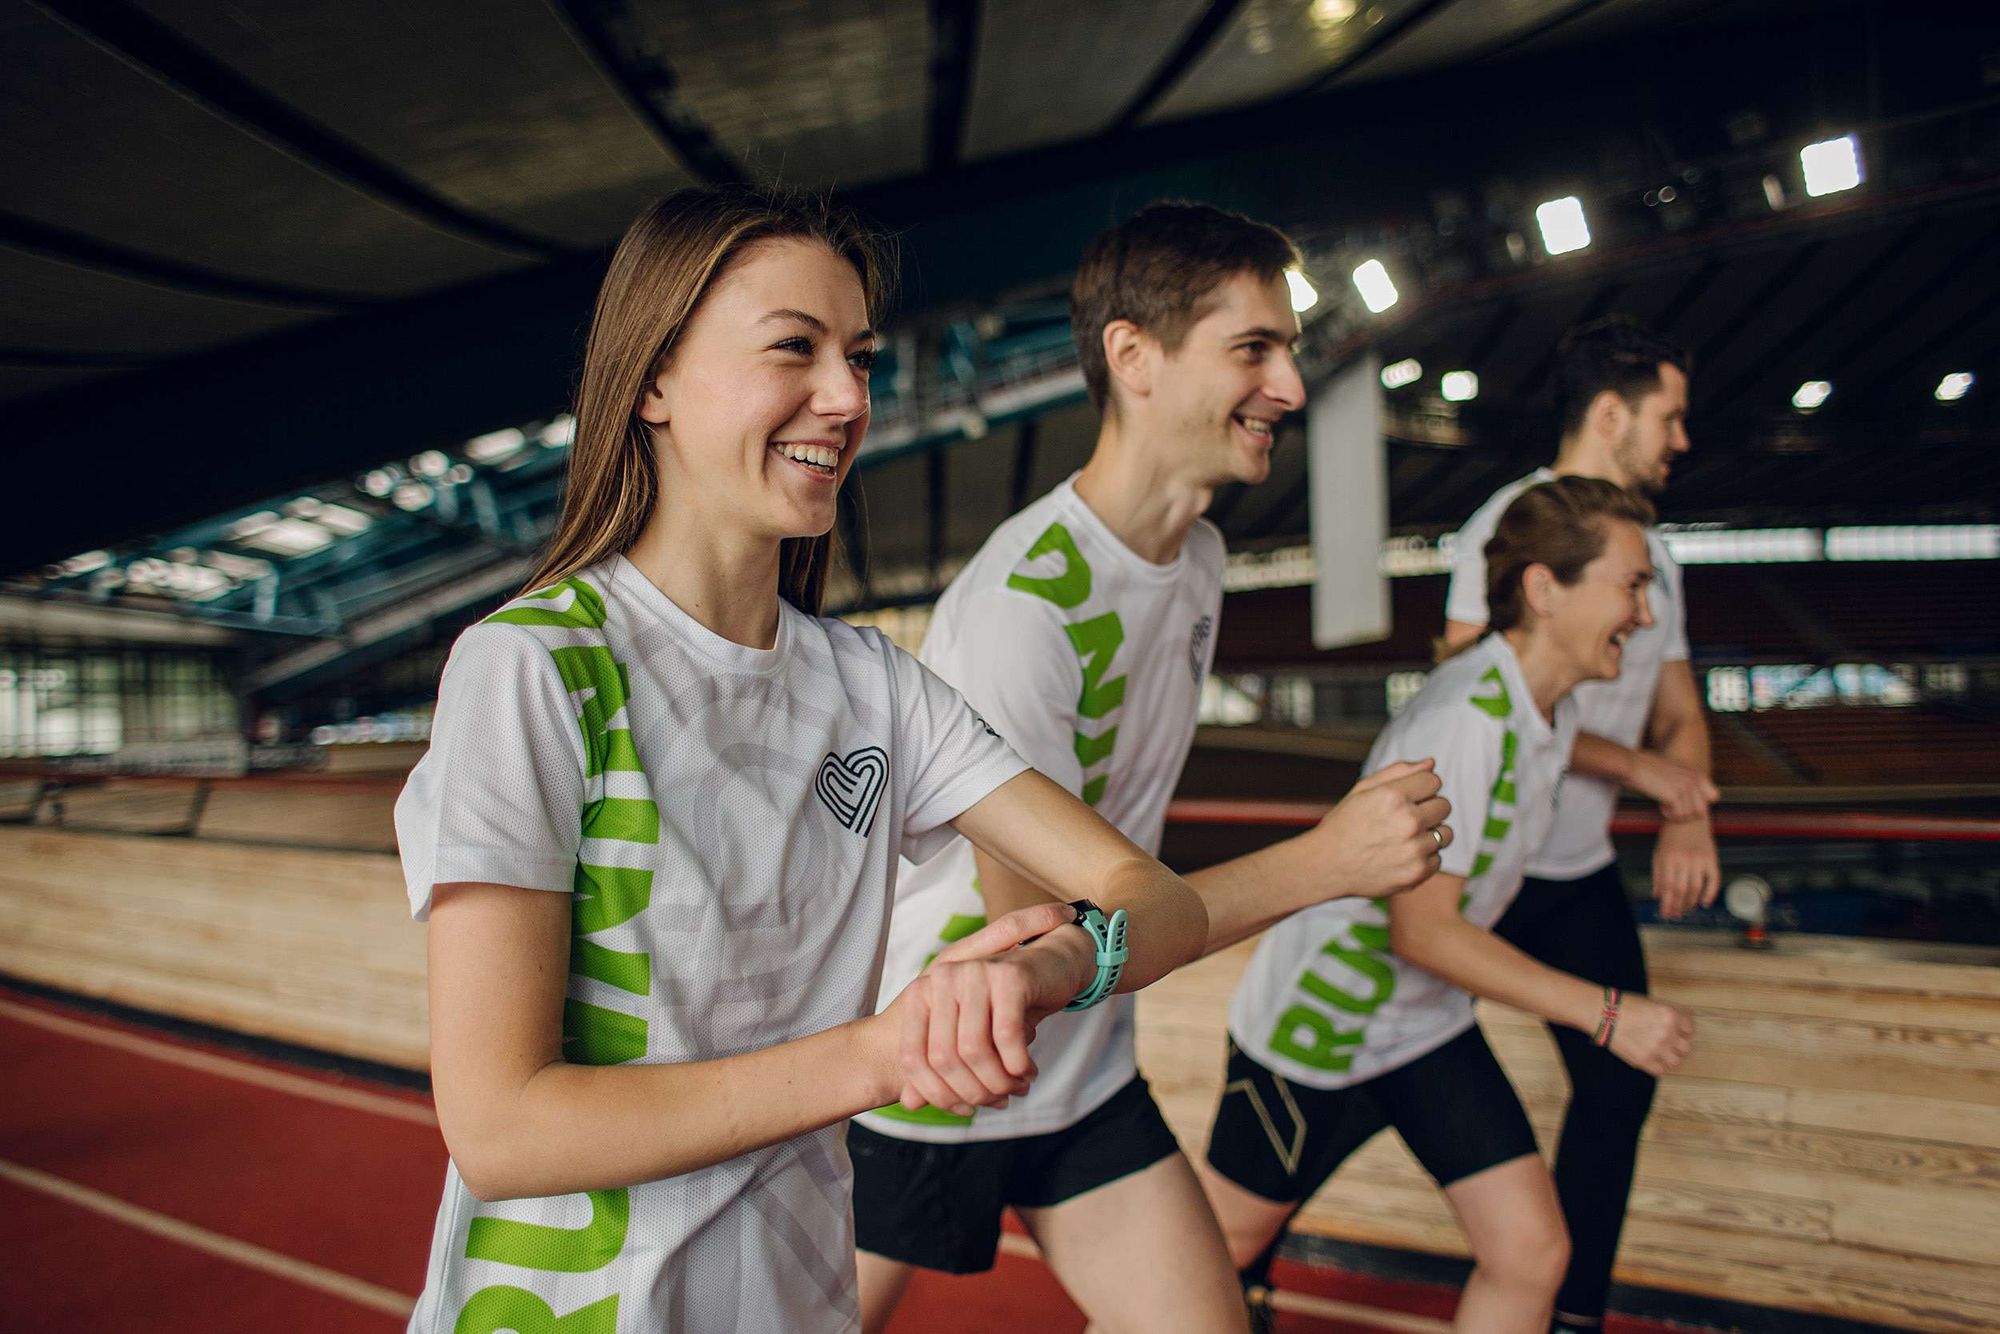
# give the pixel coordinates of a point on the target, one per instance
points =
(663, 269)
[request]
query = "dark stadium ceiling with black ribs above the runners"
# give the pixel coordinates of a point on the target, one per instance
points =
(257, 245)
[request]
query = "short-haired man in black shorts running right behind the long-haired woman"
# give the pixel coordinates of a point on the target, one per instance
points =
(1083, 631)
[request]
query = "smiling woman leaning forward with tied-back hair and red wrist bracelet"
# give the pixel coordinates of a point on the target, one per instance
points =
(1357, 1015)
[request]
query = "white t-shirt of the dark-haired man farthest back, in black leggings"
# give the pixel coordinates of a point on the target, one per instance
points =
(1611, 709)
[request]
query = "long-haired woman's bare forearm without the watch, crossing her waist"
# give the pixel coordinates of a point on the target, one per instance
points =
(571, 1129)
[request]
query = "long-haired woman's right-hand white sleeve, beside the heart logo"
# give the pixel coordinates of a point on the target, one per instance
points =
(947, 757)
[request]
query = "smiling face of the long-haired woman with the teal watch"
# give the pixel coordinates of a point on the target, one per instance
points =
(765, 401)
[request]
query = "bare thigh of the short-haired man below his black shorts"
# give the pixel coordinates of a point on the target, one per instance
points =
(1143, 1253)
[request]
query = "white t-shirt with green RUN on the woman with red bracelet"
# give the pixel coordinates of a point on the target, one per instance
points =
(1325, 1001)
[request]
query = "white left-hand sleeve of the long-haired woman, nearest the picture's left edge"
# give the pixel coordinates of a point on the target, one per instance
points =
(499, 797)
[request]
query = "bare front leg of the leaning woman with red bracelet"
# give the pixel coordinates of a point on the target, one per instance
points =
(1519, 1247)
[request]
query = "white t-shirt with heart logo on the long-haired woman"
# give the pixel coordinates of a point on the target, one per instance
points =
(727, 823)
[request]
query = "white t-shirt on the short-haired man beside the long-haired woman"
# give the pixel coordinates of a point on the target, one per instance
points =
(1089, 661)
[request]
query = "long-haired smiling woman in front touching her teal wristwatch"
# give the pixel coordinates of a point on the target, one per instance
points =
(659, 827)
